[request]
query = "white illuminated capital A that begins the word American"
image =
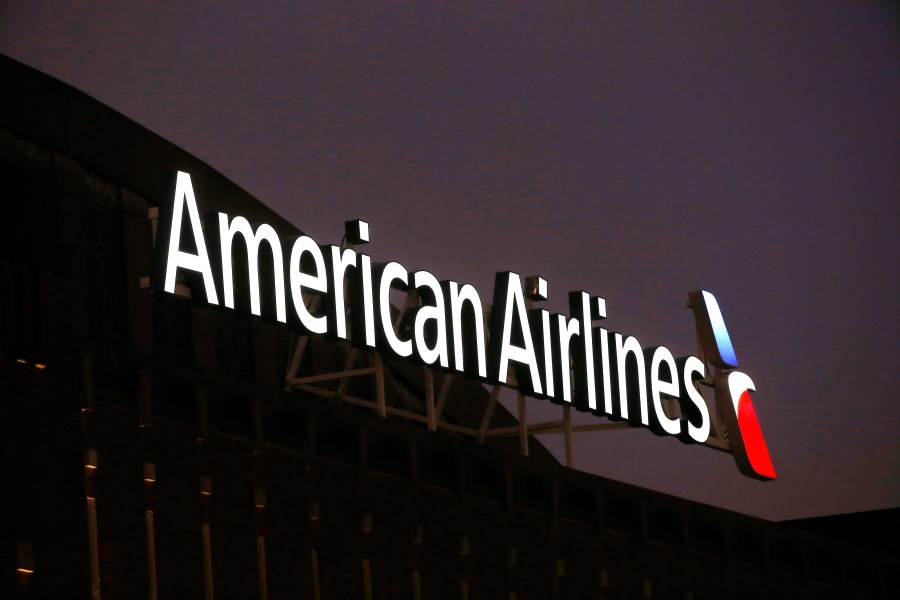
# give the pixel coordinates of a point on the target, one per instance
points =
(184, 195)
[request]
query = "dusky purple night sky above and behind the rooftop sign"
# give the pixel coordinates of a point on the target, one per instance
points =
(635, 150)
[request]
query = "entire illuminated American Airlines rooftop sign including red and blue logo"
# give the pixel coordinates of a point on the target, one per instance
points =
(564, 359)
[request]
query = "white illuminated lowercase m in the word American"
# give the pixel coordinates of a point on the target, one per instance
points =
(263, 232)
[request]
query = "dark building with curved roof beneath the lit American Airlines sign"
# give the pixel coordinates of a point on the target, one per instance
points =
(151, 447)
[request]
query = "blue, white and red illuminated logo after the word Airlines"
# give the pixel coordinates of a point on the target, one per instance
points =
(732, 390)
